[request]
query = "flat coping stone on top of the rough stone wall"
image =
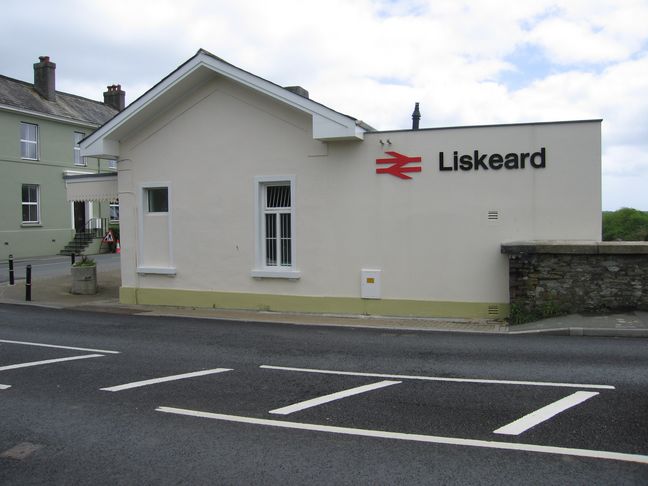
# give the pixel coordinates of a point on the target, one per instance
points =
(576, 247)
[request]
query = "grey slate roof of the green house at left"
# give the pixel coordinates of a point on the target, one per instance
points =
(21, 97)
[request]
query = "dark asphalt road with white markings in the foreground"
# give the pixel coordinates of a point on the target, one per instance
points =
(279, 404)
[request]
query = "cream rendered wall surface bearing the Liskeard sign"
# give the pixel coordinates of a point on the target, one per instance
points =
(430, 235)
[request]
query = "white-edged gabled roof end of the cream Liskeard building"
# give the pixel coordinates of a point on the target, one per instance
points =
(328, 124)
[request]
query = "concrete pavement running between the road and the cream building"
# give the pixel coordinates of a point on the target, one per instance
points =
(52, 289)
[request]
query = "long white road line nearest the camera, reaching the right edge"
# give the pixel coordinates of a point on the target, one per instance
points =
(618, 456)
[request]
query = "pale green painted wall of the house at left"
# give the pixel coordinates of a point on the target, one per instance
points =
(56, 155)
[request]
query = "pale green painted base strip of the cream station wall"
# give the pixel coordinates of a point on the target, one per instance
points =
(324, 305)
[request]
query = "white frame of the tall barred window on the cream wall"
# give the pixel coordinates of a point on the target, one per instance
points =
(261, 269)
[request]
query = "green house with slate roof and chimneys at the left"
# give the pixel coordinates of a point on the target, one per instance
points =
(40, 156)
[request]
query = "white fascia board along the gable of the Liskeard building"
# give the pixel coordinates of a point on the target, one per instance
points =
(327, 124)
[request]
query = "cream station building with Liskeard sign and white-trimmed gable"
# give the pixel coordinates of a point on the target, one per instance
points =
(236, 192)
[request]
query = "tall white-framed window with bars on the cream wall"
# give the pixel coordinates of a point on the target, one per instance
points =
(275, 232)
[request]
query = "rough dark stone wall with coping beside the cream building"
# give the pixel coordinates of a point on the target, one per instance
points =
(555, 278)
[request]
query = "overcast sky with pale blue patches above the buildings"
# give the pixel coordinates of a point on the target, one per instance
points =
(467, 62)
